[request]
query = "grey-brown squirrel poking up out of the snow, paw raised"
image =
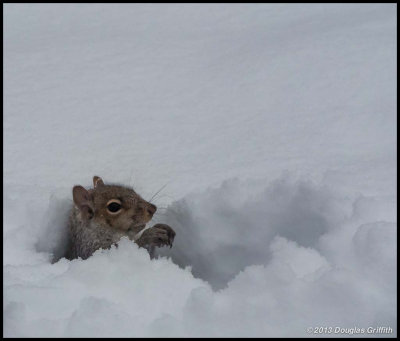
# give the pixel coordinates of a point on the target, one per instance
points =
(102, 215)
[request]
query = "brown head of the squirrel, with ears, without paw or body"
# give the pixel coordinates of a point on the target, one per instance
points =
(113, 206)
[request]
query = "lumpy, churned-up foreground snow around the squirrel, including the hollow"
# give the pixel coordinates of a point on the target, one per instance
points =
(248, 260)
